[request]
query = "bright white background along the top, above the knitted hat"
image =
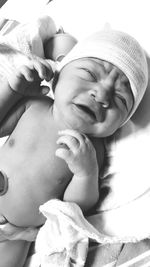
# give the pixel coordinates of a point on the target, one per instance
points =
(80, 17)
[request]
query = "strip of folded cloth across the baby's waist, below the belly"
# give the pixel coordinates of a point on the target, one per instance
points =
(9, 231)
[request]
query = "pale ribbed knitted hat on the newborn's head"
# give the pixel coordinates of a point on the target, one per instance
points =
(121, 50)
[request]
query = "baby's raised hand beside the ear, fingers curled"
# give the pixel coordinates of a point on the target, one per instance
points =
(26, 80)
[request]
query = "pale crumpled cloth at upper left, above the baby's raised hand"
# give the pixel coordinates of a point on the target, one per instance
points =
(23, 41)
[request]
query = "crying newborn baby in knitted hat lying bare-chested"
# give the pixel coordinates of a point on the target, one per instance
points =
(97, 88)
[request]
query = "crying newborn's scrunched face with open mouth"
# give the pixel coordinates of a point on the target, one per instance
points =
(93, 96)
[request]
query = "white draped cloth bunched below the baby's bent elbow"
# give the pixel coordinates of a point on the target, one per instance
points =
(64, 238)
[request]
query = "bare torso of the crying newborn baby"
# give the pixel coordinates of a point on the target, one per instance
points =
(34, 173)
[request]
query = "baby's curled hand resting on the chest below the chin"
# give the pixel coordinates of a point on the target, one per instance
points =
(78, 152)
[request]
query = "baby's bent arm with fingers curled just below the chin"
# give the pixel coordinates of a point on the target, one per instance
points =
(80, 155)
